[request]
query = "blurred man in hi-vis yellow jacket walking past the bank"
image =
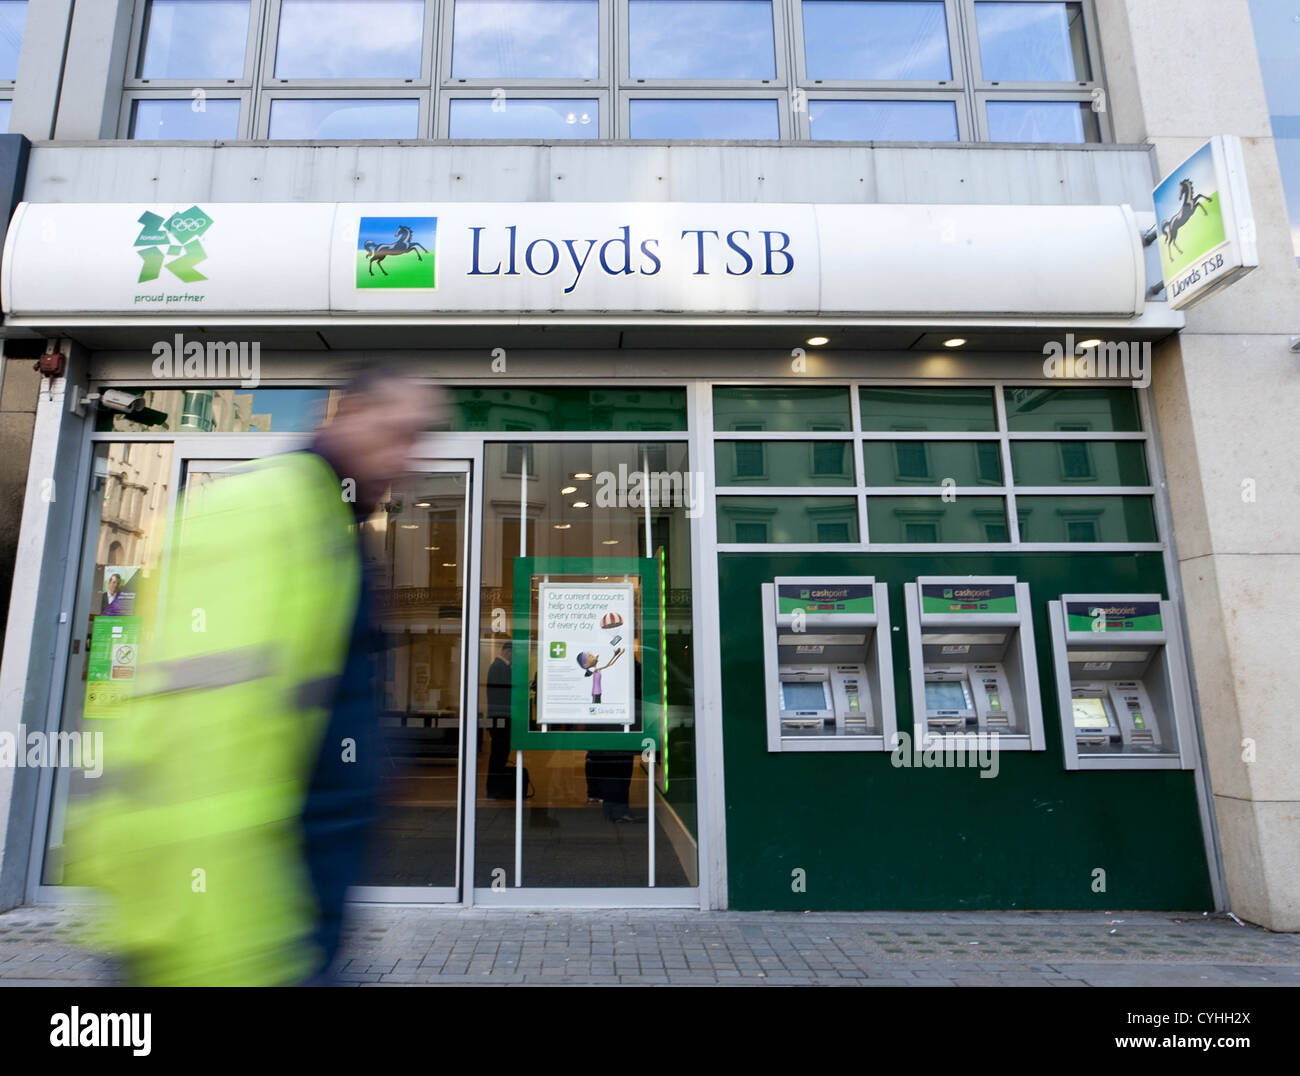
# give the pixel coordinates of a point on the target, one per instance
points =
(245, 775)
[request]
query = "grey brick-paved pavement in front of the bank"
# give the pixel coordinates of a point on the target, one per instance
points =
(423, 945)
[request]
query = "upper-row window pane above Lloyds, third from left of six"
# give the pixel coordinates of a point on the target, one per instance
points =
(526, 40)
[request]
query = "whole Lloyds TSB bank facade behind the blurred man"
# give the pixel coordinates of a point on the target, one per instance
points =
(753, 422)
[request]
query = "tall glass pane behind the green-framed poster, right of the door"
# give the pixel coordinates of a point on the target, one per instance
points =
(577, 827)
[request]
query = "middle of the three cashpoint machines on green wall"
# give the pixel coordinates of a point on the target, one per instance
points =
(973, 662)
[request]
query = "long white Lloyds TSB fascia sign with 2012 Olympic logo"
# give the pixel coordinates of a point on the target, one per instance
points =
(558, 259)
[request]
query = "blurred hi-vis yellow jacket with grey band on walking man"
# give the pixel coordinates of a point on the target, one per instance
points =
(194, 832)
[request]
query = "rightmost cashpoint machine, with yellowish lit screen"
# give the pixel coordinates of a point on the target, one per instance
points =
(1123, 683)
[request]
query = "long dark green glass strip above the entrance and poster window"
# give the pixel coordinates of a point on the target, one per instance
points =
(556, 410)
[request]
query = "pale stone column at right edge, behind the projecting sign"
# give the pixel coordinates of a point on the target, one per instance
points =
(1228, 394)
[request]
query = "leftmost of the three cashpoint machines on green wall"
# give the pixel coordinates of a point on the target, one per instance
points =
(829, 665)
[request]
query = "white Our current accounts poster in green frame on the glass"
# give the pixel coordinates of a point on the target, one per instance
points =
(587, 666)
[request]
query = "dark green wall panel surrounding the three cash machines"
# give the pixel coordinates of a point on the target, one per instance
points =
(870, 835)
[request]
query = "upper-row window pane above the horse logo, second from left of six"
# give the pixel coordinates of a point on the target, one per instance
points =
(350, 40)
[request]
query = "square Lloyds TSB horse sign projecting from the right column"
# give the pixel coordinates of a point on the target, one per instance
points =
(1206, 228)
